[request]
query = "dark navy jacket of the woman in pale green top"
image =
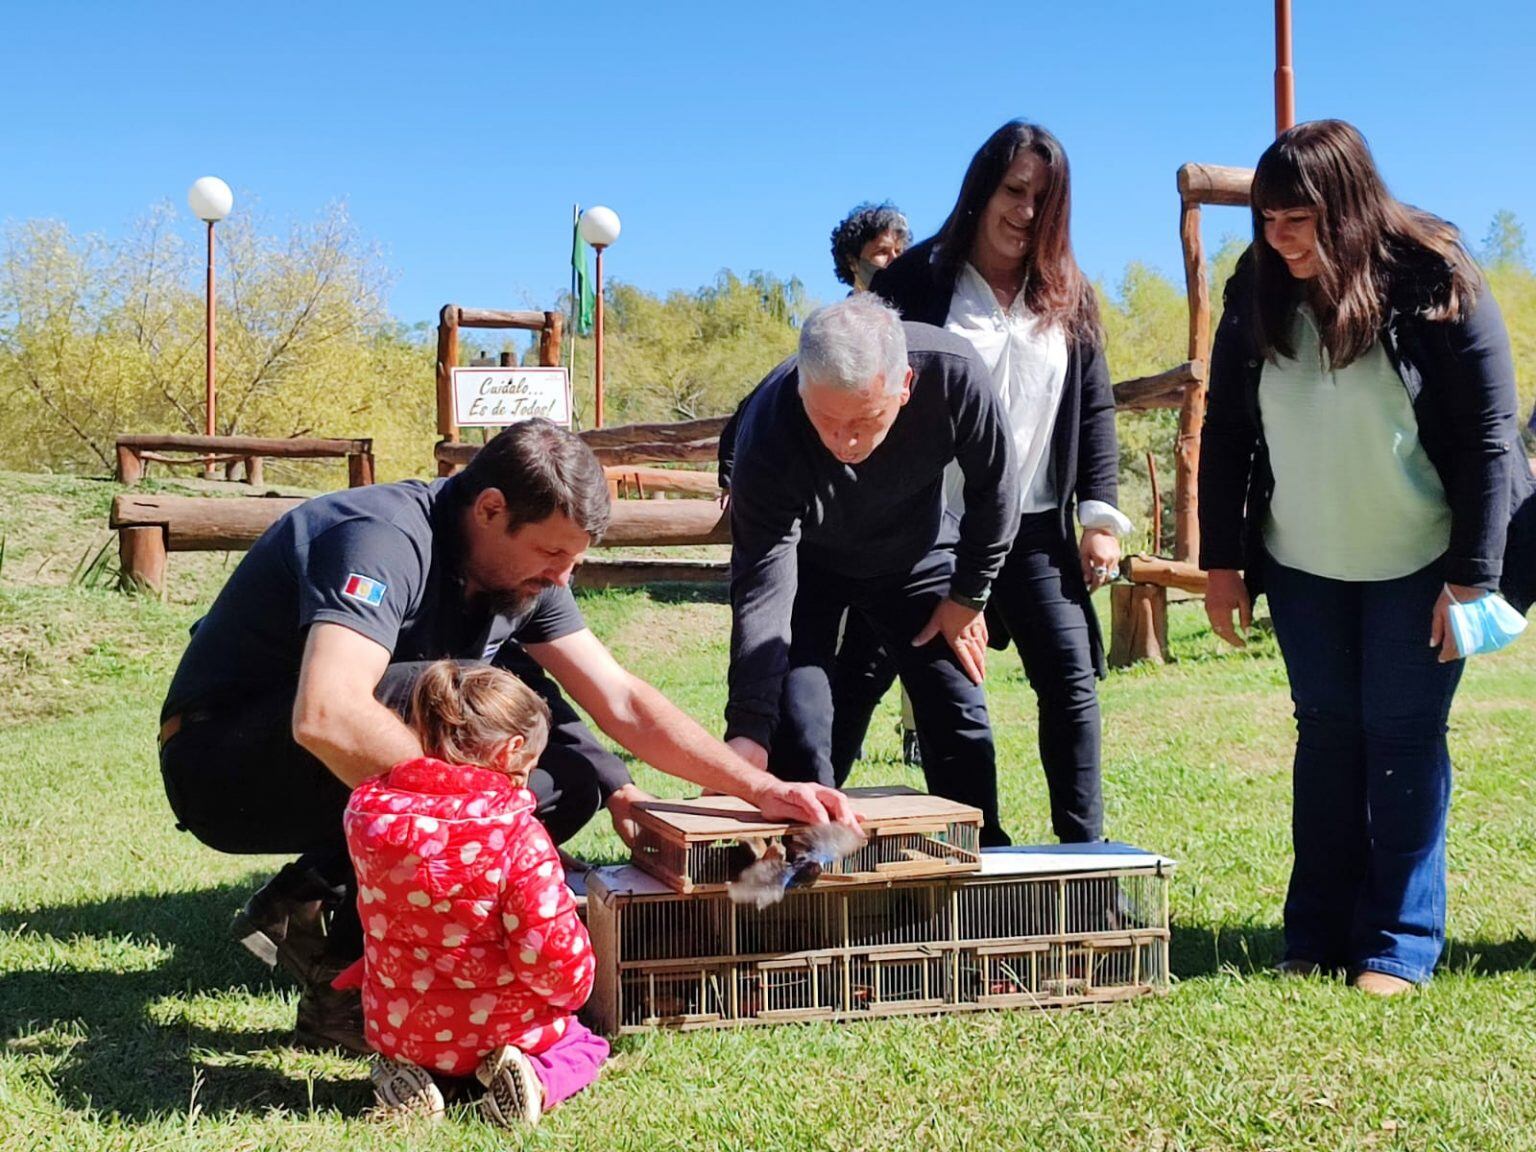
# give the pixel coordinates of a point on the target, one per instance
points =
(1460, 379)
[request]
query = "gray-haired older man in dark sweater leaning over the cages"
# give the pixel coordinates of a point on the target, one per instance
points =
(838, 502)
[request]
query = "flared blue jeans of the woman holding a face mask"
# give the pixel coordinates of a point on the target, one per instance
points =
(1372, 773)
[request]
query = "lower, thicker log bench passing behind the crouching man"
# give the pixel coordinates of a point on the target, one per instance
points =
(151, 528)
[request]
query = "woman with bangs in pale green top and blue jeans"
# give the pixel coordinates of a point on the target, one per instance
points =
(1360, 462)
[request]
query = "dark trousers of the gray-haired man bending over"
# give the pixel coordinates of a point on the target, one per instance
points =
(959, 763)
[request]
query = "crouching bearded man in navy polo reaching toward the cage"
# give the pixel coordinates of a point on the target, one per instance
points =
(293, 689)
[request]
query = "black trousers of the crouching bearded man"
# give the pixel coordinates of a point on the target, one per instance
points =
(240, 784)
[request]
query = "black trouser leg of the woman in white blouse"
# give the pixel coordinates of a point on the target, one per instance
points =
(1042, 600)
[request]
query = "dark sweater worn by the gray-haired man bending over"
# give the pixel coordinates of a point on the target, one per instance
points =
(795, 503)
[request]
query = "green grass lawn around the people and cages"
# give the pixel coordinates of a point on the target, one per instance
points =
(131, 1022)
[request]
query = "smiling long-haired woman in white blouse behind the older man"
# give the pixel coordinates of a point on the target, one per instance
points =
(1001, 273)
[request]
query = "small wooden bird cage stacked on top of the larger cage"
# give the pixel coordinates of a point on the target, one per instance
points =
(698, 846)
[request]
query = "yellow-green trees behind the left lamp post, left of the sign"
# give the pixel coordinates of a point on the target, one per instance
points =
(102, 339)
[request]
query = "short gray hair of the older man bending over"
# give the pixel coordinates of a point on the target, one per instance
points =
(853, 343)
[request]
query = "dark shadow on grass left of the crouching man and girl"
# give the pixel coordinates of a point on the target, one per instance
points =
(99, 1033)
